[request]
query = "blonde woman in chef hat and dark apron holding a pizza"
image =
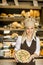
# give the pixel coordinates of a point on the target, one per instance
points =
(29, 41)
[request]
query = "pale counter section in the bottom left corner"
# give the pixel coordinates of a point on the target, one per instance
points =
(7, 61)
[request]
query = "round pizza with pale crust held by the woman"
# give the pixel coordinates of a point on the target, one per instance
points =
(22, 56)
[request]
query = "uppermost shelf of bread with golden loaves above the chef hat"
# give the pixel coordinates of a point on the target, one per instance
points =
(19, 17)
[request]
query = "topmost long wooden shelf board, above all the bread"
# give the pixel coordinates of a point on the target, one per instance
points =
(20, 7)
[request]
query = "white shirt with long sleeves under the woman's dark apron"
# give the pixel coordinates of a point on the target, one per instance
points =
(18, 44)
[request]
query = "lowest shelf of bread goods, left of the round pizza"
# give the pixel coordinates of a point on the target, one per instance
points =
(8, 54)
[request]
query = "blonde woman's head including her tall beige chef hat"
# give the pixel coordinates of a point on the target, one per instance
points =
(29, 25)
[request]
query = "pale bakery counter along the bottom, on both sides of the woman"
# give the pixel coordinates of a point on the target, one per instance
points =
(11, 61)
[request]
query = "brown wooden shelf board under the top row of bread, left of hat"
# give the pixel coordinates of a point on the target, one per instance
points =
(10, 19)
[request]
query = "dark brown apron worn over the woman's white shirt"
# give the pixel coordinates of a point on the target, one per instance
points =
(31, 49)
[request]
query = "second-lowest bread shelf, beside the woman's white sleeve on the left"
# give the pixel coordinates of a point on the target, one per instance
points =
(7, 44)
